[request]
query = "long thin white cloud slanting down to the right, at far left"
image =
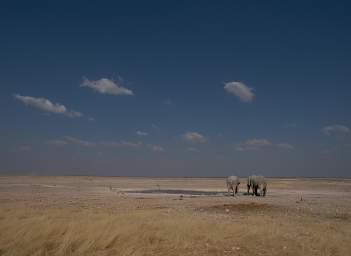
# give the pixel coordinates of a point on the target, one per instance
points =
(47, 106)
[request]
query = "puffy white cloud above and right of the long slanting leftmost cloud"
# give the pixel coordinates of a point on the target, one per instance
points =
(106, 86)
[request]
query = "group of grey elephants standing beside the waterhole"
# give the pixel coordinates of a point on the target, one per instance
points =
(257, 184)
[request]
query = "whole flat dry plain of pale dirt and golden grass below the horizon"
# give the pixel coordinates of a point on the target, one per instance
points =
(47, 215)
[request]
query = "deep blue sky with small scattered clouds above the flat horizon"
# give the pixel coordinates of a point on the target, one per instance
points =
(175, 88)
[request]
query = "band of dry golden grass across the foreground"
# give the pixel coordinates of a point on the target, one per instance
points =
(26, 231)
